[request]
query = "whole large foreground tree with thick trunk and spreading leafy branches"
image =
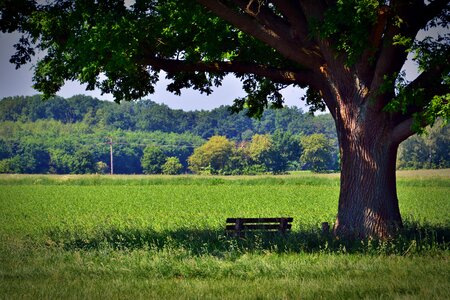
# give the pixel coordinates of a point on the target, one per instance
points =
(348, 53)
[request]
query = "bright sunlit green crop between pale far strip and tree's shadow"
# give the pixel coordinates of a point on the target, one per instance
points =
(87, 215)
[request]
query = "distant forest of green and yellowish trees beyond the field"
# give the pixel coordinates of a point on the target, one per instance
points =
(76, 136)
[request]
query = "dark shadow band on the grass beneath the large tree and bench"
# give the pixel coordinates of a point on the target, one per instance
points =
(414, 238)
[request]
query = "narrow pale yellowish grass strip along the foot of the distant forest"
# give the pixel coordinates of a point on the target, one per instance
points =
(404, 178)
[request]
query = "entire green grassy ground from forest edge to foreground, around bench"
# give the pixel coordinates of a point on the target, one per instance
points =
(145, 237)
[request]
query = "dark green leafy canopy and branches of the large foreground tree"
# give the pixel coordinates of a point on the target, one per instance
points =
(267, 44)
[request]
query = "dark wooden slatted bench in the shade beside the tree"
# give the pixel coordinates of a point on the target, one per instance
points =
(239, 225)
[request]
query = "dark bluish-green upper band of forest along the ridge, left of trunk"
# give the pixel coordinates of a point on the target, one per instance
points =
(146, 115)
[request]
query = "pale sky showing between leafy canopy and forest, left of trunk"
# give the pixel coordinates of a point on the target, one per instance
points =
(19, 83)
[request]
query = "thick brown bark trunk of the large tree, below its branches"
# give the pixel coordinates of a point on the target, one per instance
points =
(368, 203)
